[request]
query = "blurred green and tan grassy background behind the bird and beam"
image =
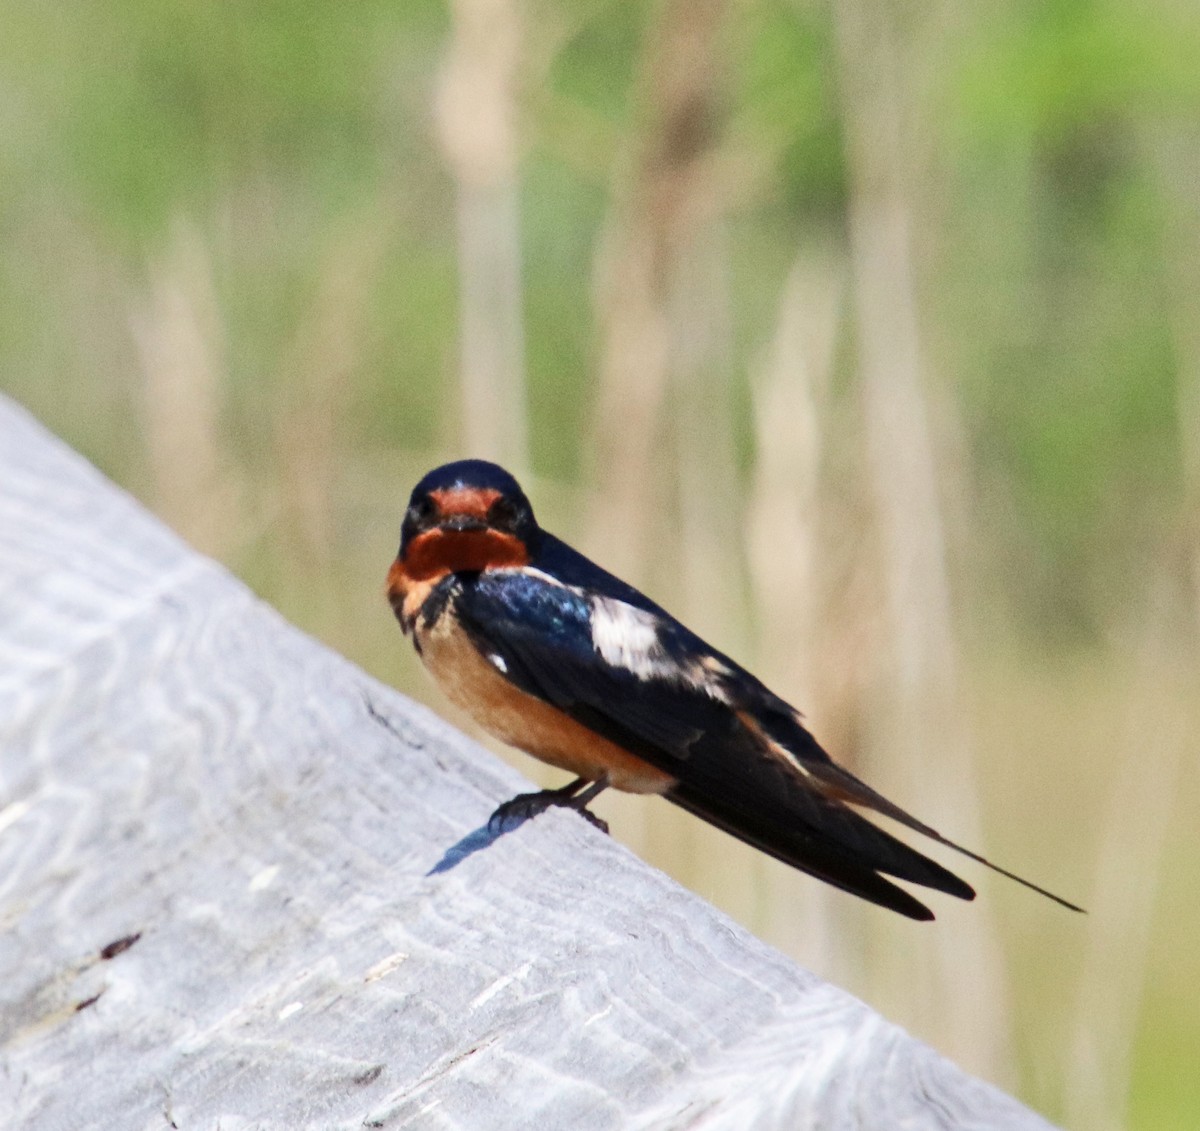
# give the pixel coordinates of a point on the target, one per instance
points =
(866, 337)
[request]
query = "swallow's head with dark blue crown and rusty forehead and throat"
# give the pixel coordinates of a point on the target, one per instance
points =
(467, 516)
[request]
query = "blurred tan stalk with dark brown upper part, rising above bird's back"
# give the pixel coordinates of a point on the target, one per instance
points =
(670, 192)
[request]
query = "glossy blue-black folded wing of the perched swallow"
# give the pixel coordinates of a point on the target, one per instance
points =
(687, 715)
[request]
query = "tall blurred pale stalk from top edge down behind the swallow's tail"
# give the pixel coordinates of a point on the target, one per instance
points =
(955, 989)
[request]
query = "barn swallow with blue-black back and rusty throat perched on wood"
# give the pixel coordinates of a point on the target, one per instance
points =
(560, 659)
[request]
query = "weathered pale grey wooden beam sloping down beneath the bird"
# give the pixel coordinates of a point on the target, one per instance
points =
(328, 938)
